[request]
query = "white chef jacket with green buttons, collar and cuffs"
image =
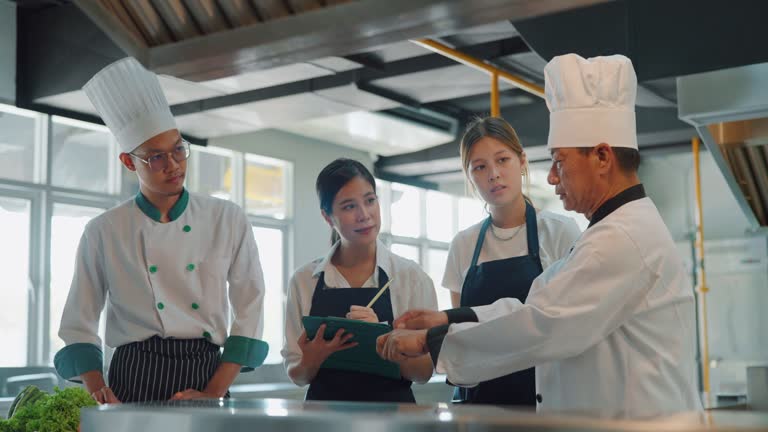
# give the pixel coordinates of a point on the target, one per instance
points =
(167, 279)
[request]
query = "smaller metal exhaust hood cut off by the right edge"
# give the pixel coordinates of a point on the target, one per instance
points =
(729, 109)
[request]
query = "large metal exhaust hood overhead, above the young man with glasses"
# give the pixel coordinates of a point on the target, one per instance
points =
(201, 40)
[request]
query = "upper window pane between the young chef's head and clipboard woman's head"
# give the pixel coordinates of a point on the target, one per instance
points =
(266, 184)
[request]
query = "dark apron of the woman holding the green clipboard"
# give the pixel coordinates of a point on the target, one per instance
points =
(339, 385)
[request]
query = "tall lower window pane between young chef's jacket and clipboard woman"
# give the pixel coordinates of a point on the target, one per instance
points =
(270, 243)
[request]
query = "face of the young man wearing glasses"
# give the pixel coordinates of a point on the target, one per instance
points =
(164, 174)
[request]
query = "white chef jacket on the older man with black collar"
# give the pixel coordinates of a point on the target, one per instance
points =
(610, 328)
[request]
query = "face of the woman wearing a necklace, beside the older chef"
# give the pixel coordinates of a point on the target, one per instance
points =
(496, 172)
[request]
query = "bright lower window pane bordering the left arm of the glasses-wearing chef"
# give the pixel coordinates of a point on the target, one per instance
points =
(67, 226)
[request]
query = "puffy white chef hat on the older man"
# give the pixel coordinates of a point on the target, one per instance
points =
(591, 101)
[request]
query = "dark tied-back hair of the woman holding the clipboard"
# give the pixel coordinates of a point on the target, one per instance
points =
(335, 176)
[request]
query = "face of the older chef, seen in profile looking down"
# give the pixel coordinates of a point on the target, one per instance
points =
(574, 176)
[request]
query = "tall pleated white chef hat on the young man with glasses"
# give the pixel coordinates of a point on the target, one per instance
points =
(131, 102)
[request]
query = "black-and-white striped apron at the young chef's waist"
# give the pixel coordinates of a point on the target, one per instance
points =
(156, 368)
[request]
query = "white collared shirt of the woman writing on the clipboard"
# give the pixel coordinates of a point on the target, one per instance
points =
(411, 288)
